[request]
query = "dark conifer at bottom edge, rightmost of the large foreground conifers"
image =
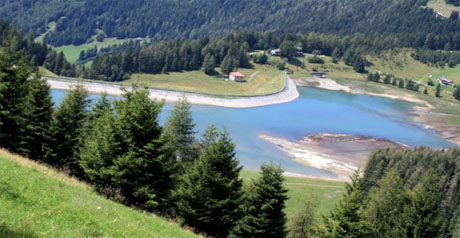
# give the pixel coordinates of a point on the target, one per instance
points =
(263, 206)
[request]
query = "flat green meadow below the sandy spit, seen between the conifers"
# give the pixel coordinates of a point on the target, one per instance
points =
(323, 194)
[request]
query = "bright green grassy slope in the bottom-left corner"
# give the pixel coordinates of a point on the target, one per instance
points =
(36, 201)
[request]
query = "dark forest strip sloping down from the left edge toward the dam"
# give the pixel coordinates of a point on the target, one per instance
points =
(39, 54)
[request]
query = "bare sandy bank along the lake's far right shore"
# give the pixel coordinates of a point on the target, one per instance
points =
(424, 114)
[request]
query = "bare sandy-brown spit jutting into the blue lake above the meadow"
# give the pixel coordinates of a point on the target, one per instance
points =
(338, 153)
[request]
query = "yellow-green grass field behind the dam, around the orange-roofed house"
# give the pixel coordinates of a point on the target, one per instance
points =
(261, 80)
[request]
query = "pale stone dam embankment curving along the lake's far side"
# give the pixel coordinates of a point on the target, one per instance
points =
(289, 93)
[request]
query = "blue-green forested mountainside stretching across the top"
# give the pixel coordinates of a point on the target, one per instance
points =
(78, 20)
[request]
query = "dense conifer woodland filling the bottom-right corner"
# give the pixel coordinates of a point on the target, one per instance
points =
(433, 179)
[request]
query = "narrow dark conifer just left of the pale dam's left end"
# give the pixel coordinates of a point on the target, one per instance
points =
(38, 113)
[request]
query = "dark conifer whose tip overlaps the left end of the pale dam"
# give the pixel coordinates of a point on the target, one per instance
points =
(67, 129)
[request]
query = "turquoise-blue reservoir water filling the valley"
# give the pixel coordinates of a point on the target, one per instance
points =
(316, 111)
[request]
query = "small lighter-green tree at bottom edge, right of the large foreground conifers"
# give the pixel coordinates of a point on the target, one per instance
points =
(304, 223)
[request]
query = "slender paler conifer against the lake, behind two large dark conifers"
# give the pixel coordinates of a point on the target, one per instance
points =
(180, 132)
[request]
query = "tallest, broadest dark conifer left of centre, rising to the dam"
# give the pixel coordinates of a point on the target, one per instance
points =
(144, 168)
